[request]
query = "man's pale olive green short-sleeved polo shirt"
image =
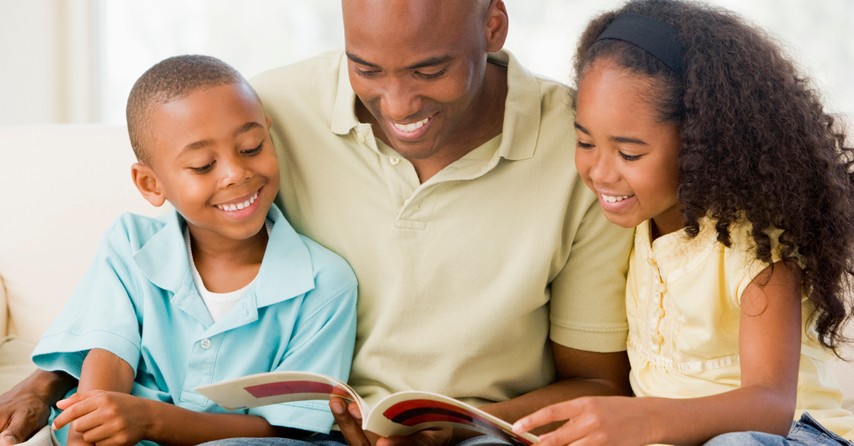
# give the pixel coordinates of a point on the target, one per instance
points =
(464, 278)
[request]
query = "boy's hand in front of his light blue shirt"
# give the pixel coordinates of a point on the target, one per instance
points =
(106, 418)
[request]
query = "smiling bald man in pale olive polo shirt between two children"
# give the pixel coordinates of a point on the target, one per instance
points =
(442, 171)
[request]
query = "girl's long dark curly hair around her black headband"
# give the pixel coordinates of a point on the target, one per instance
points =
(756, 145)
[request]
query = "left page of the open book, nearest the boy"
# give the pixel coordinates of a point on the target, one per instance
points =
(277, 387)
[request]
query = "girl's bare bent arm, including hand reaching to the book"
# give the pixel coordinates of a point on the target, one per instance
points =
(769, 343)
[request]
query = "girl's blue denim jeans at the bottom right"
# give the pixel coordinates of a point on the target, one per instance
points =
(804, 432)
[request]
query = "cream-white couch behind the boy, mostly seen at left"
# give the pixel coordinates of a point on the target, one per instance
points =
(61, 186)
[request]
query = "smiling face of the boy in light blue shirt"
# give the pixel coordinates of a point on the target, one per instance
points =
(212, 158)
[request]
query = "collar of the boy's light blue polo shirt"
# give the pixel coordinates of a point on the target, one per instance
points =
(286, 270)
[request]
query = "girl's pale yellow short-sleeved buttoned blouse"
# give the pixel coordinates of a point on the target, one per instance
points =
(682, 299)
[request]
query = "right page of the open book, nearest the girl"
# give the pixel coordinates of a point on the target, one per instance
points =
(406, 412)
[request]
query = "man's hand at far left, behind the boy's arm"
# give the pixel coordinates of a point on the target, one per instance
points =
(25, 408)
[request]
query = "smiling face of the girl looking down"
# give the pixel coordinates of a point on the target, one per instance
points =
(624, 153)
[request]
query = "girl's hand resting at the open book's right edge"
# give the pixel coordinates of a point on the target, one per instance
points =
(591, 421)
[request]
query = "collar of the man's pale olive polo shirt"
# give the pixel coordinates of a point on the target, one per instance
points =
(521, 116)
